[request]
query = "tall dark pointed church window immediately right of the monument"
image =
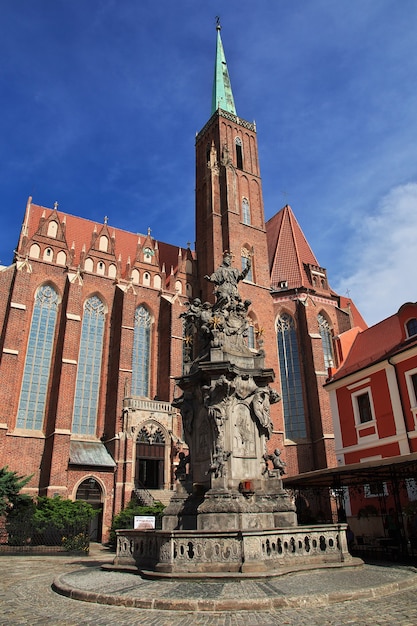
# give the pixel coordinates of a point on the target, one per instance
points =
(291, 383)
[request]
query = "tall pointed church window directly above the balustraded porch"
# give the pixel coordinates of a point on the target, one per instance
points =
(141, 352)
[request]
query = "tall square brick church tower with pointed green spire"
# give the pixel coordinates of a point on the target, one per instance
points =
(229, 205)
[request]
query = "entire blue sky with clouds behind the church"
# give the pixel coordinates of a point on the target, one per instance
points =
(100, 101)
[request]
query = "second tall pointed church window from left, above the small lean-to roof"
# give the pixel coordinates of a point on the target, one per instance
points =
(87, 384)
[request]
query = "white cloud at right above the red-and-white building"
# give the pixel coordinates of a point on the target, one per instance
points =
(383, 256)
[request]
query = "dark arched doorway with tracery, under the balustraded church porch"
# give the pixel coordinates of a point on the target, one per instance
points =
(150, 459)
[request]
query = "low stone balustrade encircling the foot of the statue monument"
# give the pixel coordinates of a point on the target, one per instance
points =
(198, 552)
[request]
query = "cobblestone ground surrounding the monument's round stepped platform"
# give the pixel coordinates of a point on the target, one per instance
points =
(26, 597)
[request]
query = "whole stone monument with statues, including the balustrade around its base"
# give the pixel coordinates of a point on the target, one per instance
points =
(229, 513)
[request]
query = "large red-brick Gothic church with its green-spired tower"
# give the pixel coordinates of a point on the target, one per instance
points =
(93, 336)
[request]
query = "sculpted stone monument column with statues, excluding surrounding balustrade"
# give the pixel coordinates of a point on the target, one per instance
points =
(225, 407)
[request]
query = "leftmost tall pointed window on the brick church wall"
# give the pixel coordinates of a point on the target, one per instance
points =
(32, 401)
